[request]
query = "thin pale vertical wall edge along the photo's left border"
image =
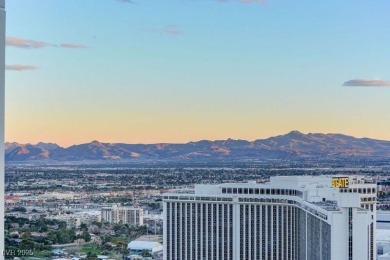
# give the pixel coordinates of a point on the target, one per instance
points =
(2, 83)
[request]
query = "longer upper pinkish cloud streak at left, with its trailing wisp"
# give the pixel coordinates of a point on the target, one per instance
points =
(33, 44)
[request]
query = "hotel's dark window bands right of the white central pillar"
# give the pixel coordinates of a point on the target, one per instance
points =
(282, 233)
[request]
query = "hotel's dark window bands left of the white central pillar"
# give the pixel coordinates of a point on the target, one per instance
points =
(192, 230)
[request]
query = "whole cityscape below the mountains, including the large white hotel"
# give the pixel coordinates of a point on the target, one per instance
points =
(195, 212)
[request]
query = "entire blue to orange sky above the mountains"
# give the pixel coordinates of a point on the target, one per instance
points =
(153, 71)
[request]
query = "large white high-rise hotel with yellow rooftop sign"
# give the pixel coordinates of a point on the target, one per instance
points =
(297, 217)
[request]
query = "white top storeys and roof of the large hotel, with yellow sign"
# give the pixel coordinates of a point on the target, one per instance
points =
(320, 193)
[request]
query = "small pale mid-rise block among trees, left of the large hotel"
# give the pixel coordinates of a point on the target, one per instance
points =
(133, 216)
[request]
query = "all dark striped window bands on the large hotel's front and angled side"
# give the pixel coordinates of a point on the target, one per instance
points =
(190, 229)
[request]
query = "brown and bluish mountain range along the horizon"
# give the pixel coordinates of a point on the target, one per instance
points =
(291, 145)
